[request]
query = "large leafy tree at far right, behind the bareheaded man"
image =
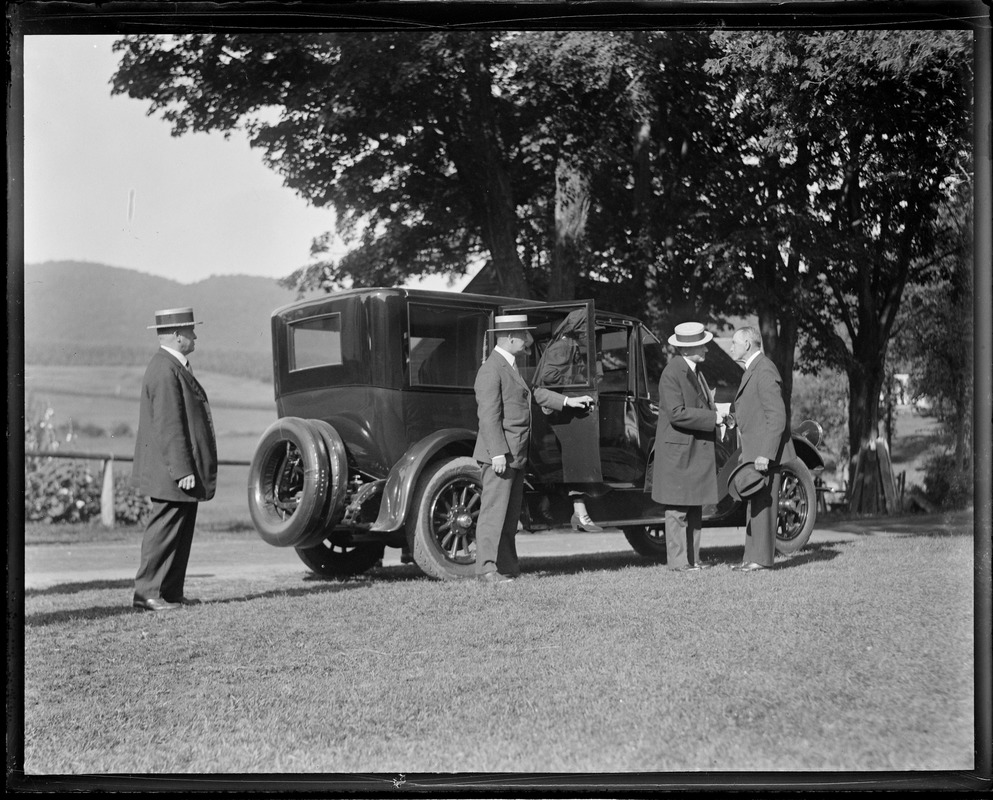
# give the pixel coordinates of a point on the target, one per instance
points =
(859, 136)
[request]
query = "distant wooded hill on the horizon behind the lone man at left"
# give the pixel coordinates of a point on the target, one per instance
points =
(93, 314)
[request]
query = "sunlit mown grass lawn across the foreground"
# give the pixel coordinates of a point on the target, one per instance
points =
(851, 656)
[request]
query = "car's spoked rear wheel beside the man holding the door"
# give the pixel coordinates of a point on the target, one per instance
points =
(441, 528)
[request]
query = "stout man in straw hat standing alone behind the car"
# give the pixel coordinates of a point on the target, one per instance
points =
(175, 462)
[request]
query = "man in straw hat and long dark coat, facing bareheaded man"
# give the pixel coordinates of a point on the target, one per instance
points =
(685, 472)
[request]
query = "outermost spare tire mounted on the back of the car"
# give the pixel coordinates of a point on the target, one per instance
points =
(288, 482)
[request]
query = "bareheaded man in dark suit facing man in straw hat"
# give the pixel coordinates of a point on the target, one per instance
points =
(760, 414)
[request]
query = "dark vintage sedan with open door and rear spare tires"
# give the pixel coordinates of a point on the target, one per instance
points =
(377, 422)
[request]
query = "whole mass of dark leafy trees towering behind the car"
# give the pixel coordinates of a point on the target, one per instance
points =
(799, 176)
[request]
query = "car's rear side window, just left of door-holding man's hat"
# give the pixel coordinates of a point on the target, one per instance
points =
(445, 344)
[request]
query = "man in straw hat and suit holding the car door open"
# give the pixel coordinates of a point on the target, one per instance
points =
(503, 401)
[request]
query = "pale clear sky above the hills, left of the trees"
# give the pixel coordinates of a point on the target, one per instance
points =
(103, 182)
